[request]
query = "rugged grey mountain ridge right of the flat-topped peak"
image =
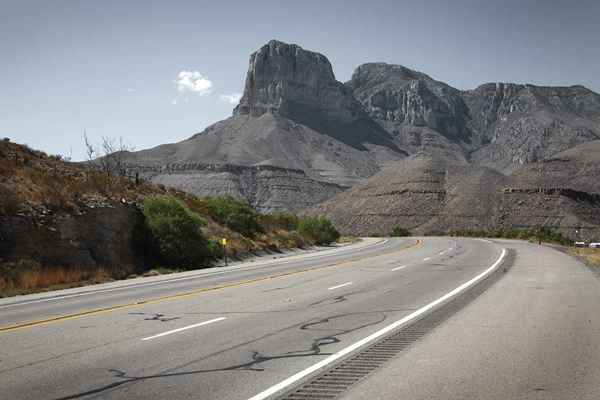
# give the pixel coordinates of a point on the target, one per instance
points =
(500, 125)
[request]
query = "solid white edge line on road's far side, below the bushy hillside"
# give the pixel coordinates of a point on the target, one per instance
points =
(245, 268)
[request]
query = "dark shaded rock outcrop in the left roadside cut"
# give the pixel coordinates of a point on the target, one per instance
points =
(99, 237)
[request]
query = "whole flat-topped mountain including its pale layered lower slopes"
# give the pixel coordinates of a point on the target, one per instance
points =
(294, 118)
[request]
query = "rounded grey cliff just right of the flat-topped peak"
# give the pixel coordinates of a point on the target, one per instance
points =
(420, 112)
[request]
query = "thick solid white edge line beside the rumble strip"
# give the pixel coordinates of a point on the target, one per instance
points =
(315, 367)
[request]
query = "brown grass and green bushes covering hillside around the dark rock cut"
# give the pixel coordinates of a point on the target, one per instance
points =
(179, 231)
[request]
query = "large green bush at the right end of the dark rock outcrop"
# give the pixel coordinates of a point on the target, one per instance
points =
(175, 232)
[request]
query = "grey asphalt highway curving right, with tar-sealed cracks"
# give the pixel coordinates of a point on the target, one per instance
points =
(512, 320)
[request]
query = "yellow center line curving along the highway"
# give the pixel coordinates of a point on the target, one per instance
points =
(97, 311)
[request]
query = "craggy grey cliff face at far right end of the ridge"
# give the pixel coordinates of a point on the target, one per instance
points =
(520, 124)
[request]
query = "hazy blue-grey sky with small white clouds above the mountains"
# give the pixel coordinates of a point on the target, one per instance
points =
(154, 72)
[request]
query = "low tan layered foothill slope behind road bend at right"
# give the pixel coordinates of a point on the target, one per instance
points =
(432, 194)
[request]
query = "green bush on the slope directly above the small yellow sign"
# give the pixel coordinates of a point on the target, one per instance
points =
(235, 215)
